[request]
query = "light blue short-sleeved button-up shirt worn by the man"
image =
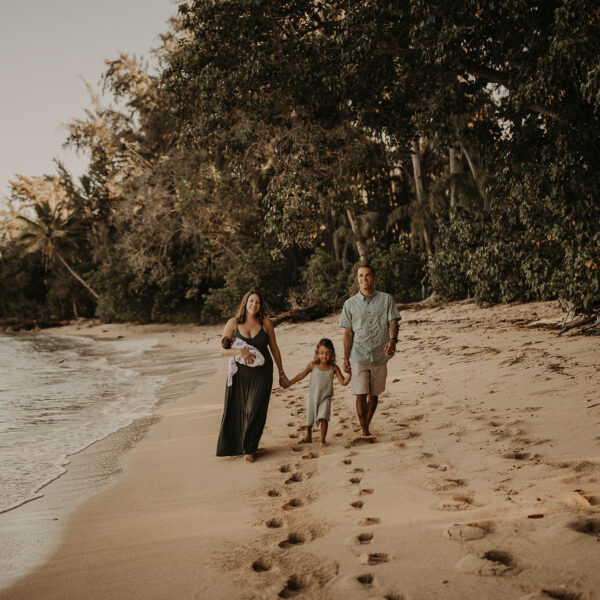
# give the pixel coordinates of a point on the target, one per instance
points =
(369, 317)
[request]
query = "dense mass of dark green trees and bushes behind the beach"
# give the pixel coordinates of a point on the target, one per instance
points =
(280, 142)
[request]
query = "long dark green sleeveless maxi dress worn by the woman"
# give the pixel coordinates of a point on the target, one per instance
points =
(246, 402)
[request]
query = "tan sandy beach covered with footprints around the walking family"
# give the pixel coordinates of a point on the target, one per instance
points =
(481, 481)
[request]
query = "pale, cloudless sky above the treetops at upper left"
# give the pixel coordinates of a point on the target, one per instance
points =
(46, 48)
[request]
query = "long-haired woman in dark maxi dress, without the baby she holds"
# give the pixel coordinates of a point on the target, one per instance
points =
(247, 398)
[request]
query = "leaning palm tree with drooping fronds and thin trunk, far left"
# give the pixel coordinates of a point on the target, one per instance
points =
(54, 235)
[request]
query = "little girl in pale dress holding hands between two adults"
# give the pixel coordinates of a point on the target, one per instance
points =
(322, 369)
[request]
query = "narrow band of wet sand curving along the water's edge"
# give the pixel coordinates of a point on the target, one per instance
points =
(85, 472)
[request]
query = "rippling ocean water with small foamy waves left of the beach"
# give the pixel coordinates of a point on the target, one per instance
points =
(58, 395)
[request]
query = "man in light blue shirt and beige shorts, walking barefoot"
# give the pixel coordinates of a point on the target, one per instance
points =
(370, 322)
